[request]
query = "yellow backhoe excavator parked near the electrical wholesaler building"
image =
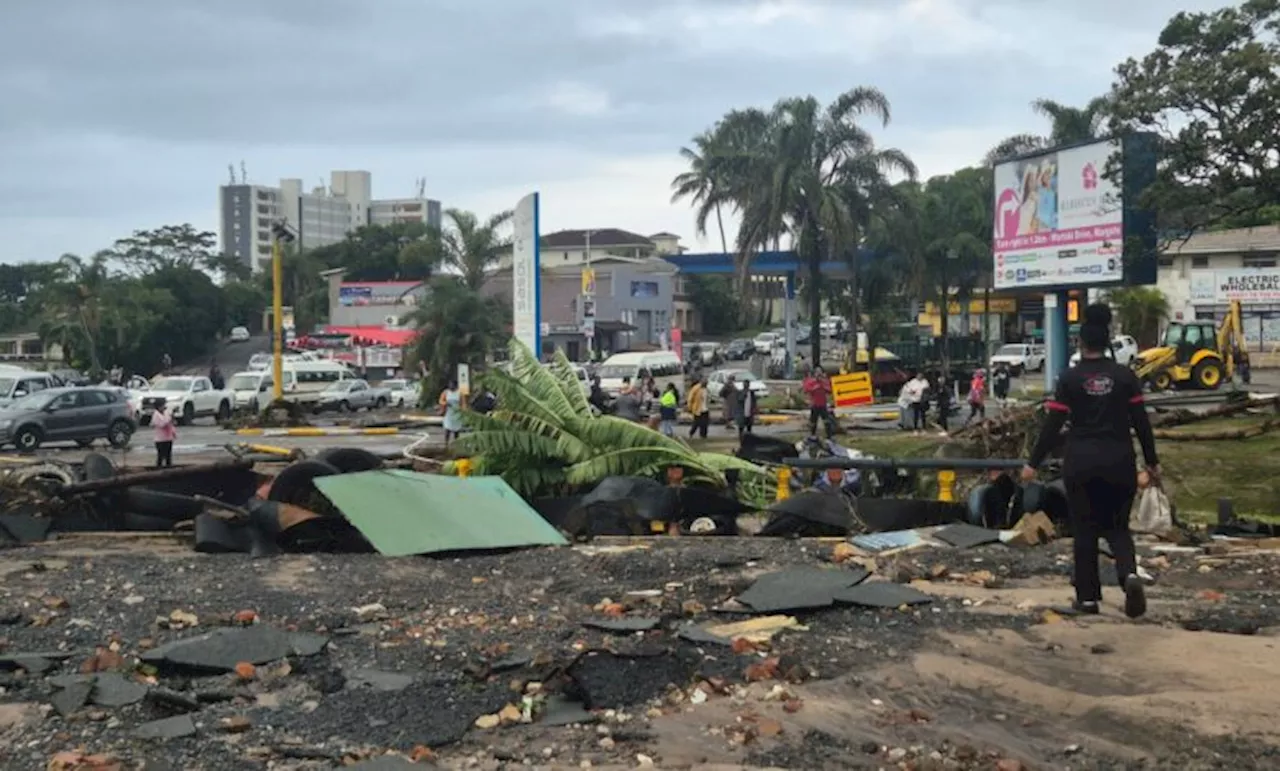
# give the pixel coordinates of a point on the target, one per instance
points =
(1195, 354)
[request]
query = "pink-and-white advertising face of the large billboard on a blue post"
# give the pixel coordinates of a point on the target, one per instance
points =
(1058, 221)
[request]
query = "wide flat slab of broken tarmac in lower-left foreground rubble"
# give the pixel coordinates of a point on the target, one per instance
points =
(222, 650)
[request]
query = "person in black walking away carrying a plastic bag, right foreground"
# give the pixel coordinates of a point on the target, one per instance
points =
(1104, 402)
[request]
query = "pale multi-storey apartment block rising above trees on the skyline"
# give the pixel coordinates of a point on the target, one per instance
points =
(321, 216)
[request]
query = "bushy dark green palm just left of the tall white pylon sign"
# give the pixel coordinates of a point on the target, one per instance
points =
(456, 325)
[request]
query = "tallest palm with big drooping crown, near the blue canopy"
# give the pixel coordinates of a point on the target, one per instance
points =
(817, 185)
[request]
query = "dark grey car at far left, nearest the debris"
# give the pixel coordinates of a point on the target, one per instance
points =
(66, 414)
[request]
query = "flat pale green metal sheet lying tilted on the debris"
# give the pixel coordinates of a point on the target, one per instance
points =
(408, 513)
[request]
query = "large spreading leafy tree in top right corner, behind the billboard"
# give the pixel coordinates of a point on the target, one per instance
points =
(1212, 93)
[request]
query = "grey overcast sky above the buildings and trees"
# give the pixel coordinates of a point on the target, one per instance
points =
(126, 115)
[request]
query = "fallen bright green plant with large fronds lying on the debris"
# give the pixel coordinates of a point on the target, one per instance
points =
(545, 439)
